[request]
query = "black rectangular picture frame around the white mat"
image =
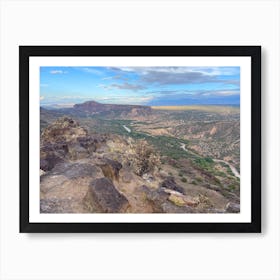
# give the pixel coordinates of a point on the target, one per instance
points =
(254, 52)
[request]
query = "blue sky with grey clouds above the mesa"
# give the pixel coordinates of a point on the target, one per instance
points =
(153, 86)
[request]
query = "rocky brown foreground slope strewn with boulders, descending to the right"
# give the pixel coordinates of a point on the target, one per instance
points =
(106, 173)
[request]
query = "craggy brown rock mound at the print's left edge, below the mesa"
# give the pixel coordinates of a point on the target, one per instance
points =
(63, 129)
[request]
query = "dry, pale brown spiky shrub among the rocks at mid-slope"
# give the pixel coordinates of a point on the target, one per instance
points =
(146, 159)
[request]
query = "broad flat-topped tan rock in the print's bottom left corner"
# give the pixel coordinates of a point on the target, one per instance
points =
(62, 190)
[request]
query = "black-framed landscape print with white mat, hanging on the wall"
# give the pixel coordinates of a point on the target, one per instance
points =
(140, 138)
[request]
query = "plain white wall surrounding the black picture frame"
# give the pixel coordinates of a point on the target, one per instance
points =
(139, 256)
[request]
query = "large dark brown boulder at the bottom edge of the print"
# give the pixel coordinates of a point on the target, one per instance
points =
(103, 195)
